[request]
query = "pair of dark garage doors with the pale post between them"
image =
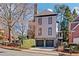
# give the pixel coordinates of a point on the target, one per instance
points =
(44, 43)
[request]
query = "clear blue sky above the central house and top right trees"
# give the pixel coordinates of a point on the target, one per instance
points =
(42, 6)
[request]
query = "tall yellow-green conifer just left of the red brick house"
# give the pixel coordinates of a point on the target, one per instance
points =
(65, 23)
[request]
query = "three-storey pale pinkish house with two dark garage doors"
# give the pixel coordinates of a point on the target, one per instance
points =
(45, 29)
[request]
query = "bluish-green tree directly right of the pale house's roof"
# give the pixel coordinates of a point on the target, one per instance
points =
(59, 9)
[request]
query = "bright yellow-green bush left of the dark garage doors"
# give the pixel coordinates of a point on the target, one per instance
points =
(28, 43)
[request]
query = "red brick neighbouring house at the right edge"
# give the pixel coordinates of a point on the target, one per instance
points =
(74, 31)
